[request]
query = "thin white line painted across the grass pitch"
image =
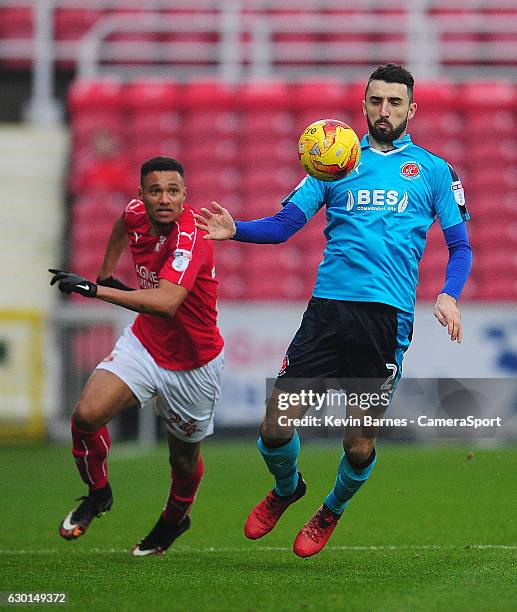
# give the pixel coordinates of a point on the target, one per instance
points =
(185, 549)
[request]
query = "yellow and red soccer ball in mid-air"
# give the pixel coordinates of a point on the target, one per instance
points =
(329, 149)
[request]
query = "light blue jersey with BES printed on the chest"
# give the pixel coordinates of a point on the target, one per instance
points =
(377, 222)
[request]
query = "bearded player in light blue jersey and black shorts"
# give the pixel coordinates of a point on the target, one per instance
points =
(359, 321)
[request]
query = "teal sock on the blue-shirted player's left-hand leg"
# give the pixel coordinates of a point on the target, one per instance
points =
(282, 462)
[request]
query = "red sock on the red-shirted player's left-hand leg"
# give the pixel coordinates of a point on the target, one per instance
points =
(90, 450)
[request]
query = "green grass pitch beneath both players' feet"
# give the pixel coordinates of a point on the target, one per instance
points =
(433, 529)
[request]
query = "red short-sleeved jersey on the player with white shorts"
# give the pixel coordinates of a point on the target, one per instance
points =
(191, 337)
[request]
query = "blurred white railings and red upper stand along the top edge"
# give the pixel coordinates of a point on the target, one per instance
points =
(236, 40)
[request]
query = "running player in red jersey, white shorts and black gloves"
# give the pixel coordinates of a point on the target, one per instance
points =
(172, 355)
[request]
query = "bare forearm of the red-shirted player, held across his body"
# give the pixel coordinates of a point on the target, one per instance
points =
(159, 301)
